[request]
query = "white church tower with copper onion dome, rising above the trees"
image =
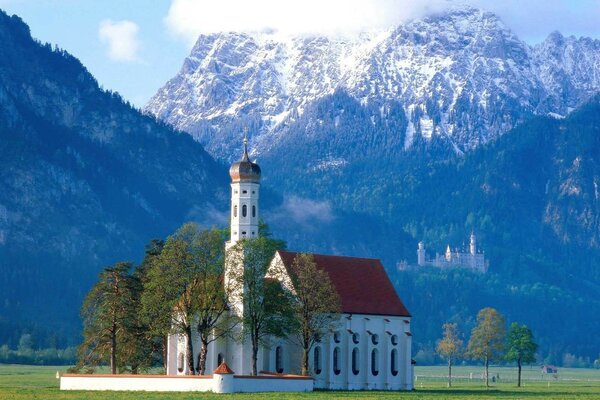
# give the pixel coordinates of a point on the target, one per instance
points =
(245, 183)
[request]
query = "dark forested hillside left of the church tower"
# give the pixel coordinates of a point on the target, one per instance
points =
(85, 180)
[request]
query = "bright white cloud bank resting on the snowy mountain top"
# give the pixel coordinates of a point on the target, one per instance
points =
(190, 18)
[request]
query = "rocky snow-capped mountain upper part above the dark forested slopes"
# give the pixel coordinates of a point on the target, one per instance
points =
(461, 76)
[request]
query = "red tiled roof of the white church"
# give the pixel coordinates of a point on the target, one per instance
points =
(362, 284)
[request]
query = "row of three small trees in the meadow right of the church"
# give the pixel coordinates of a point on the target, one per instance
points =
(488, 342)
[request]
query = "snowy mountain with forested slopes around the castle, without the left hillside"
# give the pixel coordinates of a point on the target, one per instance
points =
(435, 128)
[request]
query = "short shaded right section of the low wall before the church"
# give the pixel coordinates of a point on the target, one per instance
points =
(250, 384)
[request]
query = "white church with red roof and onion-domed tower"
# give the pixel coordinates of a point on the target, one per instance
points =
(370, 346)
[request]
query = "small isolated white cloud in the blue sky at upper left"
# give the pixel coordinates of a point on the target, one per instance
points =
(121, 39)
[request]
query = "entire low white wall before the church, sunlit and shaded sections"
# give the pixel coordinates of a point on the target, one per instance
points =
(205, 383)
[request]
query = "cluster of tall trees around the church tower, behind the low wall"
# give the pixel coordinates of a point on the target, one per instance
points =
(182, 287)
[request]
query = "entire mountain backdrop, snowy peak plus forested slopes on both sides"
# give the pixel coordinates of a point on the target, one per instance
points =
(427, 131)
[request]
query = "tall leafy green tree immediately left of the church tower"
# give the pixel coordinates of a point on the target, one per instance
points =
(184, 288)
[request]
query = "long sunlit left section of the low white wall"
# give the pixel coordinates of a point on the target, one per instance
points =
(154, 383)
